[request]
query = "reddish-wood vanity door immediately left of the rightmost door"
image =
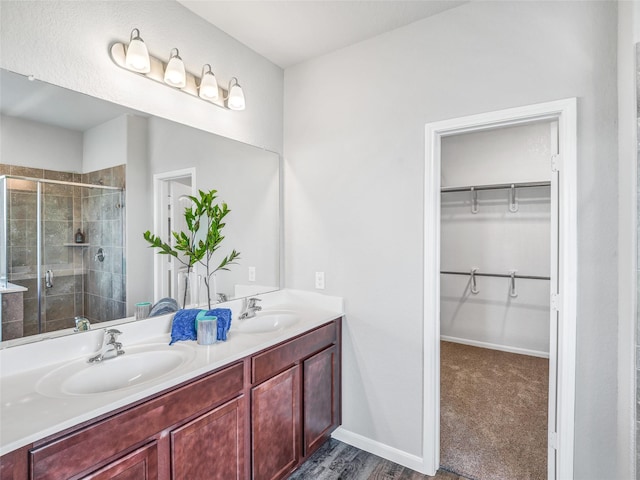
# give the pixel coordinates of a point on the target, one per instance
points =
(276, 425)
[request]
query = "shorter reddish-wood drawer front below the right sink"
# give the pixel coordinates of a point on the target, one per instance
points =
(267, 364)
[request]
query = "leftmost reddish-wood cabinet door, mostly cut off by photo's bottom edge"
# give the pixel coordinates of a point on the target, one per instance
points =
(142, 464)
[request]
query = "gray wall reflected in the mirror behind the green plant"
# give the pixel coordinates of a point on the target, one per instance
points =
(246, 178)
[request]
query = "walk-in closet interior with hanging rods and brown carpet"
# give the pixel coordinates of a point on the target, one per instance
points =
(496, 254)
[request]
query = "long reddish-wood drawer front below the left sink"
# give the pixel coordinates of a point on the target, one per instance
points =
(94, 445)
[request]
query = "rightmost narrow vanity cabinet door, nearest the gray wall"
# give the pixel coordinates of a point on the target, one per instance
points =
(321, 398)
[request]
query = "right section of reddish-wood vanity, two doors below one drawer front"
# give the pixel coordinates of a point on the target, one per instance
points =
(295, 400)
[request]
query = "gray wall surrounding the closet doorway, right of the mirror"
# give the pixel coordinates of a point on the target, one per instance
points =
(354, 169)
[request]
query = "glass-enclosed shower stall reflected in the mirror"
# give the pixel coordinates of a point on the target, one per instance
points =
(63, 250)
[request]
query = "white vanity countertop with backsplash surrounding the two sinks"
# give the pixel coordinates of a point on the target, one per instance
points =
(26, 415)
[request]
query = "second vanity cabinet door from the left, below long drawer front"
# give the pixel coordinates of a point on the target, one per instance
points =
(211, 447)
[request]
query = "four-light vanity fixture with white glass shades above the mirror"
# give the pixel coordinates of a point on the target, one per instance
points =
(135, 58)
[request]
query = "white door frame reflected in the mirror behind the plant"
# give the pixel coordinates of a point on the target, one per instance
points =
(159, 181)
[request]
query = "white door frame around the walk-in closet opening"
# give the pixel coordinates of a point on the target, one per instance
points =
(565, 302)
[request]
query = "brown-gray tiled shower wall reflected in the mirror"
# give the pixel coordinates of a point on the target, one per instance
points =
(81, 285)
